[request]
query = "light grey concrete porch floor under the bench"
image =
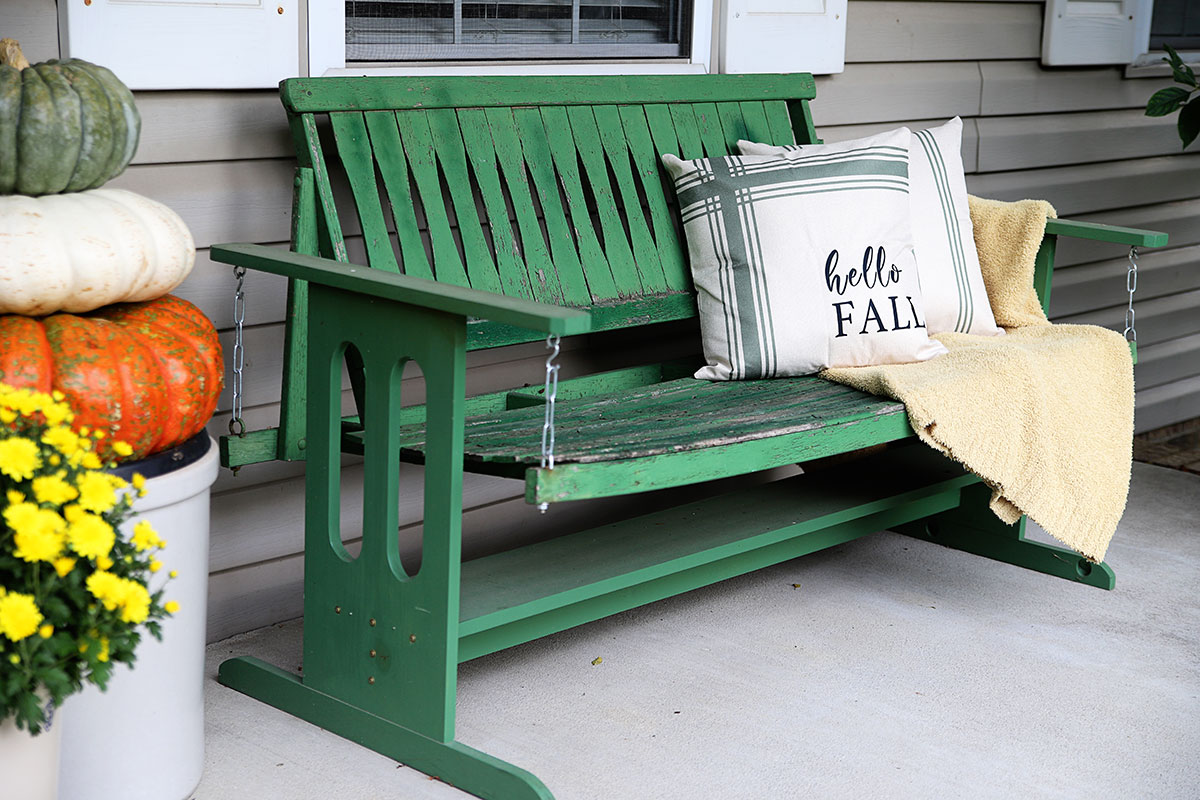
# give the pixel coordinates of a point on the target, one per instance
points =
(895, 670)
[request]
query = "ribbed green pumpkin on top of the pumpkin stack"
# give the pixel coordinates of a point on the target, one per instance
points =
(65, 127)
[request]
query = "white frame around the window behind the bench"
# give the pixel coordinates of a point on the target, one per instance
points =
(327, 53)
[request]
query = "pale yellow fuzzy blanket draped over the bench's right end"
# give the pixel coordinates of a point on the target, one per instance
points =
(1045, 414)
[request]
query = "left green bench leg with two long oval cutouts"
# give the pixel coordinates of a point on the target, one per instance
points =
(381, 647)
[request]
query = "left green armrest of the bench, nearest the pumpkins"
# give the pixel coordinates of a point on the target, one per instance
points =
(403, 288)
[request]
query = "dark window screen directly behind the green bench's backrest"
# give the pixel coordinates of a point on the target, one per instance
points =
(407, 31)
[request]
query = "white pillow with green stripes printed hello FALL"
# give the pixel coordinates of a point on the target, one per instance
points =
(803, 263)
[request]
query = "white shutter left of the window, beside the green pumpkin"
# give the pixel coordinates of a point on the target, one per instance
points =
(185, 44)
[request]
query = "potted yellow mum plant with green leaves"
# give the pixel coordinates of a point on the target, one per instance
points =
(74, 592)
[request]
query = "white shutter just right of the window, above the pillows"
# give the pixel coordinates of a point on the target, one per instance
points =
(784, 37)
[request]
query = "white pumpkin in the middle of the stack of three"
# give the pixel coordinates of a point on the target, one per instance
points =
(85, 250)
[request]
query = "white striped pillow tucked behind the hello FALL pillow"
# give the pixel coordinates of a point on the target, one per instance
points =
(956, 296)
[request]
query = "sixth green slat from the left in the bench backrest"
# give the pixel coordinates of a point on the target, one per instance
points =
(543, 276)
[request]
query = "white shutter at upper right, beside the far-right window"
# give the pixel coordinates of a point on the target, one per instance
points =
(1095, 32)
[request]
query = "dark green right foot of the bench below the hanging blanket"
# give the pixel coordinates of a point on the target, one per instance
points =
(974, 528)
